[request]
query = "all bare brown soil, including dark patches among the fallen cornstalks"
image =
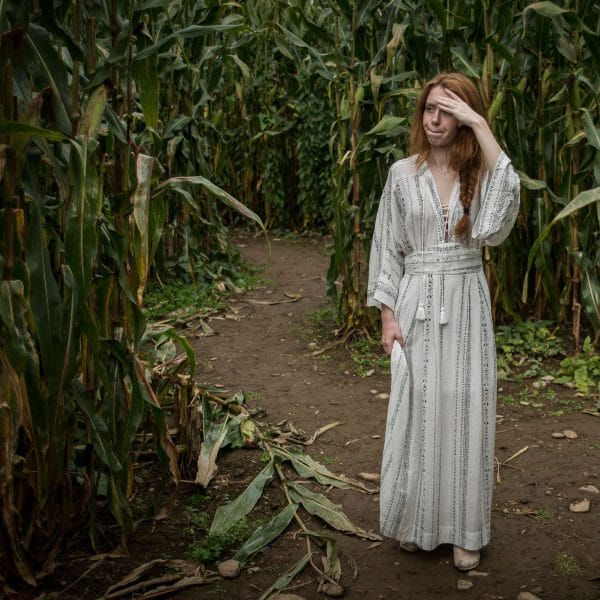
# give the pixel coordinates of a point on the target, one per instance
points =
(266, 350)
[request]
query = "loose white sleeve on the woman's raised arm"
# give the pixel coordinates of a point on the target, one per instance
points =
(499, 203)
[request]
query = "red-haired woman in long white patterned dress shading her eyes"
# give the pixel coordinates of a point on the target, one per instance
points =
(455, 193)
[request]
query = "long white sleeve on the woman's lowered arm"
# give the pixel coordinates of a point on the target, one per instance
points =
(386, 261)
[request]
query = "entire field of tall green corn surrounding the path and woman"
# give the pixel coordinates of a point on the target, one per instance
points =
(136, 133)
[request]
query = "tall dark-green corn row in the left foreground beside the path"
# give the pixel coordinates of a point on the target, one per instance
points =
(82, 204)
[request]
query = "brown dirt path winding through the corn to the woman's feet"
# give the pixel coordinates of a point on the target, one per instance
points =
(267, 352)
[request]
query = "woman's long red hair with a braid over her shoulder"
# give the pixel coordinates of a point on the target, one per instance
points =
(466, 157)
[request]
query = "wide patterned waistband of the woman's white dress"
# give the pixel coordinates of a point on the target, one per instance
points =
(449, 261)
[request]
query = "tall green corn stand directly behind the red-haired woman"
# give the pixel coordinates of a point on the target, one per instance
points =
(536, 65)
